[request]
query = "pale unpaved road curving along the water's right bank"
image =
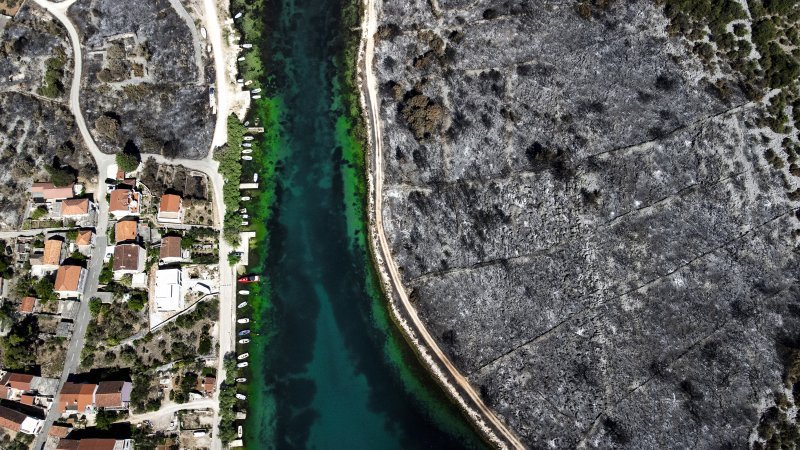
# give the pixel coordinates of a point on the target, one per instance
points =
(503, 436)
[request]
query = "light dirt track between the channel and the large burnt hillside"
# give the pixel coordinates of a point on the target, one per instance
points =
(496, 432)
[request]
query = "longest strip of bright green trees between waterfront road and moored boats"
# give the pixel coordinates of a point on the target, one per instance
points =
(230, 167)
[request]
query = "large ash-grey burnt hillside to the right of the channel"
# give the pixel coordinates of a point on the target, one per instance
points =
(590, 231)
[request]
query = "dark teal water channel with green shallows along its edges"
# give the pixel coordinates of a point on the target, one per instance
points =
(333, 372)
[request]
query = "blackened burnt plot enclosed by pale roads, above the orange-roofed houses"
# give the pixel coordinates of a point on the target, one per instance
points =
(146, 77)
